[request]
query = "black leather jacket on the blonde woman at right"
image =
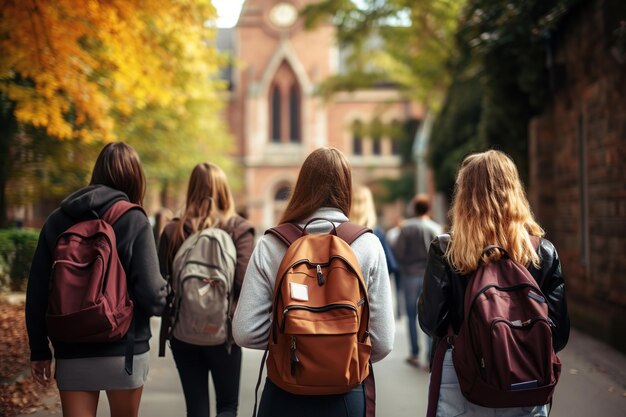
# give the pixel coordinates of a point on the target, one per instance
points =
(441, 302)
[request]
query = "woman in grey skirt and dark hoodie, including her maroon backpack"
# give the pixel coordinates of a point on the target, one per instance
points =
(93, 285)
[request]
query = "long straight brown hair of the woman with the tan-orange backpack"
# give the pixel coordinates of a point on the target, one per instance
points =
(325, 180)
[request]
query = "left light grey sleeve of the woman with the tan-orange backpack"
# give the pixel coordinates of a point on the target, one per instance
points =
(252, 320)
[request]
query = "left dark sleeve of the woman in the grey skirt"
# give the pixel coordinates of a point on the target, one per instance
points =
(37, 301)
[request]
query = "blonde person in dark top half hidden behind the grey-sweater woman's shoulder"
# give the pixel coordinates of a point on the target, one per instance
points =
(363, 212)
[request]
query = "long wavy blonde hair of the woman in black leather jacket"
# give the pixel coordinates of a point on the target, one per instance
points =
(490, 208)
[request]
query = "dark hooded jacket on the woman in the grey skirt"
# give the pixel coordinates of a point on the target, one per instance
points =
(137, 251)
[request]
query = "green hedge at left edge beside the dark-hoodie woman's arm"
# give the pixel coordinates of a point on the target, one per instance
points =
(17, 247)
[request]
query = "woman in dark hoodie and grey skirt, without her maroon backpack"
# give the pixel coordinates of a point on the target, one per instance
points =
(82, 370)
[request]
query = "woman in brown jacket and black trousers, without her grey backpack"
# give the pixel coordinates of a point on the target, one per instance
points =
(209, 204)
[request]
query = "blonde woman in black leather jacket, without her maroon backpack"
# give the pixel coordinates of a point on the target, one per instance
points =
(489, 208)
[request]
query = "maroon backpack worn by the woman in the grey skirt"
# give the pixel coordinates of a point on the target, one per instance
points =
(88, 299)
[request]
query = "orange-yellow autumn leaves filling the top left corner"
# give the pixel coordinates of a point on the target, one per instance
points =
(67, 64)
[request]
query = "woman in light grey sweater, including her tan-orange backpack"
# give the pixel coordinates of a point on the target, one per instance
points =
(319, 303)
